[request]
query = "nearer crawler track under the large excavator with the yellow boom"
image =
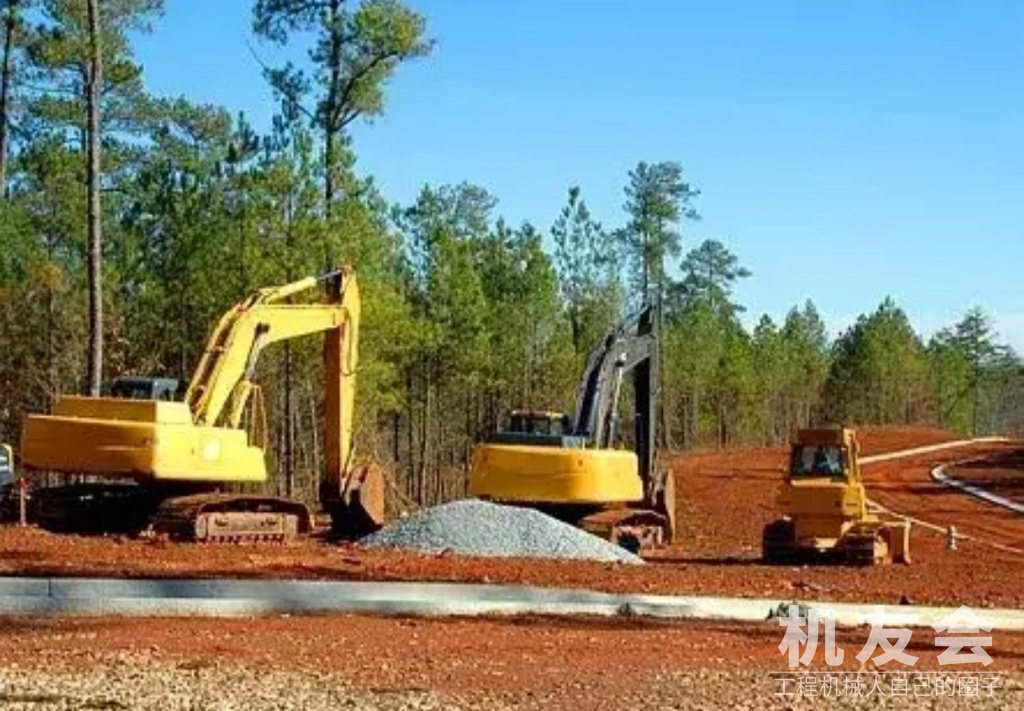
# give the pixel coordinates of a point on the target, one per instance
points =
(231, 519)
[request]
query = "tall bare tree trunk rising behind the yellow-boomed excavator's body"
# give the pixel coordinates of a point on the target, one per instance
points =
(96, 359)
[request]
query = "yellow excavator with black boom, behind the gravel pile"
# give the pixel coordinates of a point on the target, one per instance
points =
(573, 468)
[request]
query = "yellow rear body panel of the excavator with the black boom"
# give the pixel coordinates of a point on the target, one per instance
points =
(556, 476)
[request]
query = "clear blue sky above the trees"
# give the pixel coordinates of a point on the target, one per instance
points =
(844, 151)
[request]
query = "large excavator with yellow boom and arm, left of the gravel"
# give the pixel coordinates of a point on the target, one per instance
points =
(175, 456)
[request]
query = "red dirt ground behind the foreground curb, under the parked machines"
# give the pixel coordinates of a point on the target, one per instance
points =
(726, 498)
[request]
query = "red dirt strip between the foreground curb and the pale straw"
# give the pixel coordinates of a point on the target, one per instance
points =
(460, 657)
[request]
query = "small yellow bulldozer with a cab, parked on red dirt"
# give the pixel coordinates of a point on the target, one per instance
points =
(825, 509)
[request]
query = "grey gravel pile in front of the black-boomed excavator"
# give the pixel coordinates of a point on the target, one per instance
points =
(472, 527)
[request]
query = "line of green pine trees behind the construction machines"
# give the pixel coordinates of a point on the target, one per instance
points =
(131, 223)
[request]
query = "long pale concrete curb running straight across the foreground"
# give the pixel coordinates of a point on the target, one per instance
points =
(97, 597)
